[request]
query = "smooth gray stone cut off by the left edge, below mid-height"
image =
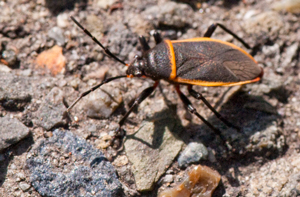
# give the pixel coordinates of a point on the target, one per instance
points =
(11, 131)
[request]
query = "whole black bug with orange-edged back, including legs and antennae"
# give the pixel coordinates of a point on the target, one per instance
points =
(199, 61)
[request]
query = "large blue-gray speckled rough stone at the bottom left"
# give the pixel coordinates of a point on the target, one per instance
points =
(81, 169)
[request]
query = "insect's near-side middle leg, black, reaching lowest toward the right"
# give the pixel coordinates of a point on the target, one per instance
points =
(192, 110)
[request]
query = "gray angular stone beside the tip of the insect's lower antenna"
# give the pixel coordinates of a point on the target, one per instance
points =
(51, 112)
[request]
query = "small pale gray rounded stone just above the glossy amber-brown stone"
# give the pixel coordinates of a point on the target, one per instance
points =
(194, 152)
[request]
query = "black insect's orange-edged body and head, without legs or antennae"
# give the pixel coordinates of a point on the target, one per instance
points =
(197, 61)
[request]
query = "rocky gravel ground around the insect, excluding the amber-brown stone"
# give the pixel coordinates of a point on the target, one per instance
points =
(47, 61)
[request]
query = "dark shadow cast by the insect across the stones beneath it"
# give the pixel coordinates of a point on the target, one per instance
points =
(251, 113)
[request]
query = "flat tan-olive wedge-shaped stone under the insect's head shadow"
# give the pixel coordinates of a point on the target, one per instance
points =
(152, 149)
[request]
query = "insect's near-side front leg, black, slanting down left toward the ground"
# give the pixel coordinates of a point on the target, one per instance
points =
(144, 94)
